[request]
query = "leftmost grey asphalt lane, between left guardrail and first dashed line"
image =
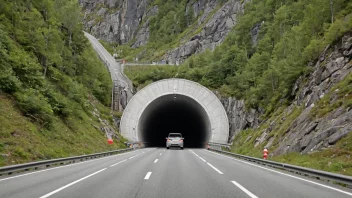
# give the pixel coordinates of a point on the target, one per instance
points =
(40, 183)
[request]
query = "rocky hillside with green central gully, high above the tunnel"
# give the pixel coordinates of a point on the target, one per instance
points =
(157, 30)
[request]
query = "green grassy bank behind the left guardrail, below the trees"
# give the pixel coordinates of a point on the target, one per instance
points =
(23, 141)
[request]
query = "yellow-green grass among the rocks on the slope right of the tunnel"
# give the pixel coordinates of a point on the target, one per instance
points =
(336, 158)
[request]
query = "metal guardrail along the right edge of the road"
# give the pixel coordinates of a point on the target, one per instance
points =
(323, 175)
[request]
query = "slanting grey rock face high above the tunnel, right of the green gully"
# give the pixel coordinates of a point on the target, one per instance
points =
(214, 31)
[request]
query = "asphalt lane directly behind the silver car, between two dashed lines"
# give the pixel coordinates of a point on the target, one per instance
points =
(179, 173)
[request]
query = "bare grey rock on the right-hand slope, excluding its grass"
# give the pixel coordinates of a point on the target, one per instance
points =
(309, 133)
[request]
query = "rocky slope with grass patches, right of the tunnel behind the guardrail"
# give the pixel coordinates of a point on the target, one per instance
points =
(319, 116)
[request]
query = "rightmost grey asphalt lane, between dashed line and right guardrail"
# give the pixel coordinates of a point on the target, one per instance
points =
(264, 183)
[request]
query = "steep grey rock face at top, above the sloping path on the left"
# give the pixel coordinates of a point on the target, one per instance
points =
(116, 20)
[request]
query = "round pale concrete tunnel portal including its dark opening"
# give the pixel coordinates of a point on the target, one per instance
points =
(175, 106)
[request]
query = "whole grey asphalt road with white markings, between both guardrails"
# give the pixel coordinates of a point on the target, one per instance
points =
(157, 172)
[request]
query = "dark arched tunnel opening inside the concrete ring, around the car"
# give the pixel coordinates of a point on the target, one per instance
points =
(174, 113)
